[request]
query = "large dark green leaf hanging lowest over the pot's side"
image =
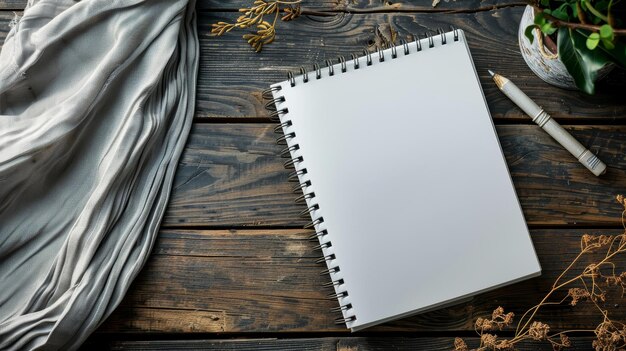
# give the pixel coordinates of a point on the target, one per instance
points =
(581, 63)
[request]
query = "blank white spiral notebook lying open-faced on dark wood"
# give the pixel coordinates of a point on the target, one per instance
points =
(404, 179)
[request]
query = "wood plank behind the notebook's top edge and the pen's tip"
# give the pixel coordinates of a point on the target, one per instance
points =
(232, 77)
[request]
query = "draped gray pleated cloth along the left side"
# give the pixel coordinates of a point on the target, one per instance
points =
(96, 102)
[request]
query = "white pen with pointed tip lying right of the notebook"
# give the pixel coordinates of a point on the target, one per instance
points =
(543, 119)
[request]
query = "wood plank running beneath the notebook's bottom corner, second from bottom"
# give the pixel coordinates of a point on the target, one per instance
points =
(266, 281)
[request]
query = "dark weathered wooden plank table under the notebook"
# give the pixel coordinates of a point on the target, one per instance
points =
(231, 268)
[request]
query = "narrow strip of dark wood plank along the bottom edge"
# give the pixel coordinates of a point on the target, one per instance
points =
(377, 343)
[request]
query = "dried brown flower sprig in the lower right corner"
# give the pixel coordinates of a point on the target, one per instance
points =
(593, 282)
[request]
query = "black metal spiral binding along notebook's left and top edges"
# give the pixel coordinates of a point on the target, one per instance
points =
(288, 139)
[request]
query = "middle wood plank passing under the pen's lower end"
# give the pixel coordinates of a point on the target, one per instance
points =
(231, 175)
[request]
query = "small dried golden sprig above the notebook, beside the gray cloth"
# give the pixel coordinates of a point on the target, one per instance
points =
(266, 31)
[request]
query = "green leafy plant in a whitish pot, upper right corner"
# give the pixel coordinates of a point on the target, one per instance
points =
(572, 43)
